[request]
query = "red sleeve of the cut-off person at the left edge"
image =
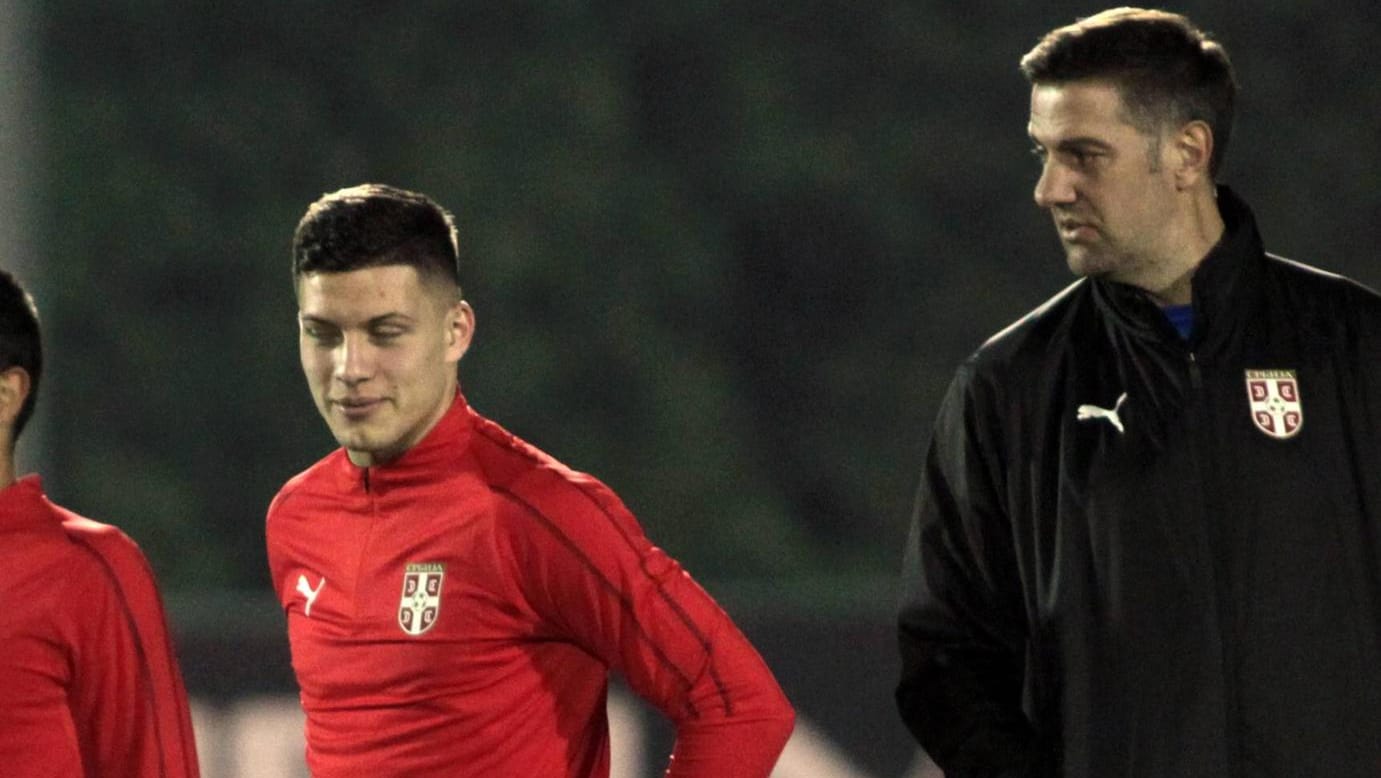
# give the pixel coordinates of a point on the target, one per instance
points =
(129, 704)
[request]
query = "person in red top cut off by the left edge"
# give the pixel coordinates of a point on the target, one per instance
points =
(89, 681)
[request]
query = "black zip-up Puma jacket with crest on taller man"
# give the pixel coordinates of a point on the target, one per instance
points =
(1136, 556)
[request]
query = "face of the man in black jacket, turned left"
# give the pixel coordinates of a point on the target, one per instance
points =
(1108, 186)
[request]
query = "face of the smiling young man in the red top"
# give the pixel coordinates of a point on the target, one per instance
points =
(380, 348)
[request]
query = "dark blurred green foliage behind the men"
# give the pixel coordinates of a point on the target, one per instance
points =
(724, 255)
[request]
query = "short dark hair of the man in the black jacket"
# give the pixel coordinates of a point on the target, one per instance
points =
(1168, 71)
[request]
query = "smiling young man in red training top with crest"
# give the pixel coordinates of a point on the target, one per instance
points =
(455, 598)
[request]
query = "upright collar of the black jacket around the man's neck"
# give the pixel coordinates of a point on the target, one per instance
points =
(1226, 287)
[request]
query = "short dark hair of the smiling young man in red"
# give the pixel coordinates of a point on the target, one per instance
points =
(372, 226)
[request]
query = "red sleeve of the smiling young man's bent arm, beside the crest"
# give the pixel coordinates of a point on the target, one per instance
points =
(595, 574)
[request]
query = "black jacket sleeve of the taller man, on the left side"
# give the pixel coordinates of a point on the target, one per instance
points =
(962, 627)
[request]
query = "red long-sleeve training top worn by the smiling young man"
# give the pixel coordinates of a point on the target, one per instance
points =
(458, 613)
